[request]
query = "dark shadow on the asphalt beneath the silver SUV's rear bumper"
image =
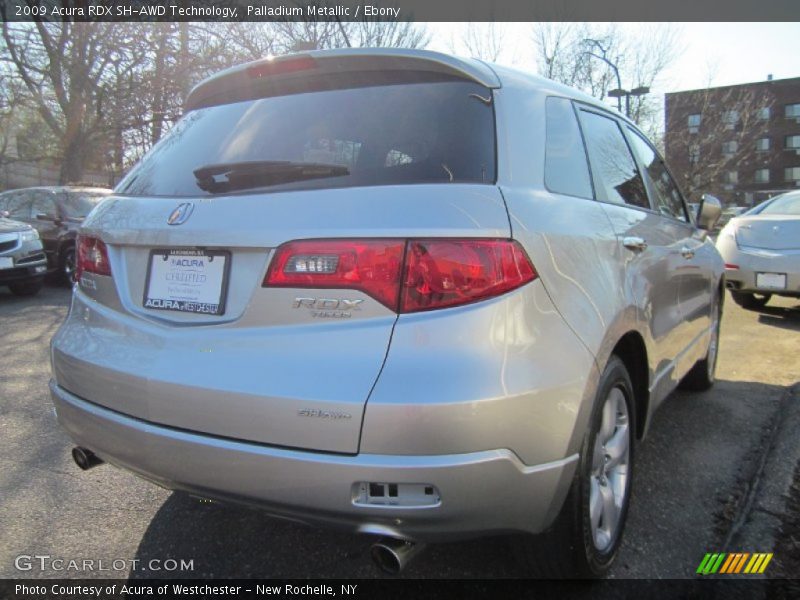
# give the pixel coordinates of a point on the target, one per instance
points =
(228, 541)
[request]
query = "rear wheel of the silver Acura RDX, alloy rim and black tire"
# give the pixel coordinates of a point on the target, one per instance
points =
(585, 537)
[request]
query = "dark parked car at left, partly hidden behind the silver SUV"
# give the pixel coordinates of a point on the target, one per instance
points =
(56, 213)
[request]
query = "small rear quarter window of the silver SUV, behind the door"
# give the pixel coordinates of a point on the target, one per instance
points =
(566, 170)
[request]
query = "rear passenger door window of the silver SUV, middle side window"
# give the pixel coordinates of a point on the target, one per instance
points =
(615, 174)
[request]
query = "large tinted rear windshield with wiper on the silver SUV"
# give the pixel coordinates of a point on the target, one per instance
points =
(441, 132)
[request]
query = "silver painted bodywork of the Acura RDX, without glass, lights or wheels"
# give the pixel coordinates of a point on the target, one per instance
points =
(489, 401)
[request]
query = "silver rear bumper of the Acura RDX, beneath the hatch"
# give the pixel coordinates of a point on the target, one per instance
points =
(481, 493)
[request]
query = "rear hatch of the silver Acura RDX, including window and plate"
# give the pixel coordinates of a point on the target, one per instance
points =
(198, 342)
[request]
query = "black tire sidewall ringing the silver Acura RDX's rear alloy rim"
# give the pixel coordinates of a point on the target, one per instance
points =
(594, 561)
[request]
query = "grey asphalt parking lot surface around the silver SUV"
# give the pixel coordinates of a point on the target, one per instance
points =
(699, 483)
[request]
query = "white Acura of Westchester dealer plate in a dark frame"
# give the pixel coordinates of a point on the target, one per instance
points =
(183, 280)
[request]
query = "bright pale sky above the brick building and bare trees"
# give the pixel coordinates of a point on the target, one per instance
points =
(734, 52)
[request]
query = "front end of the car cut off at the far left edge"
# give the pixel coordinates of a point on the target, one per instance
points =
(22, 260)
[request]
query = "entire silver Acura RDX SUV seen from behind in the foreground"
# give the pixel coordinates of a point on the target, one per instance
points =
(394, 291)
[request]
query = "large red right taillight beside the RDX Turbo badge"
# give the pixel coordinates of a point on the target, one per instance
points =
(405, 276)
